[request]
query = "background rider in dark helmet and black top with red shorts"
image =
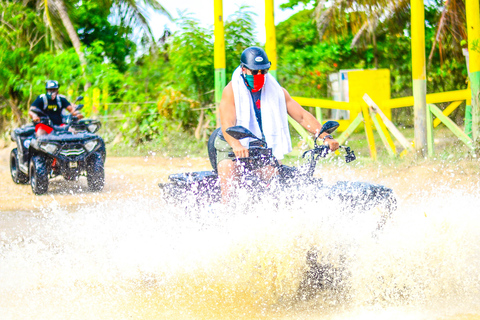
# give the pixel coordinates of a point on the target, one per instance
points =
(50, 104)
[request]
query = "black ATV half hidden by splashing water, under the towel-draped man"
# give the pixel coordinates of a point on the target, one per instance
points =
(204, 186)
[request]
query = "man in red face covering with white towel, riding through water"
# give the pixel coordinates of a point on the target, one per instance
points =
(254, 99)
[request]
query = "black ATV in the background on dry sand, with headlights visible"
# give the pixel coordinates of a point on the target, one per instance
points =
(62, 152)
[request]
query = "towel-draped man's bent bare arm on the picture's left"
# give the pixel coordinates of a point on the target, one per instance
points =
(228, 118)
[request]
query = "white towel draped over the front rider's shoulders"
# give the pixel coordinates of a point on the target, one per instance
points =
(273, 110)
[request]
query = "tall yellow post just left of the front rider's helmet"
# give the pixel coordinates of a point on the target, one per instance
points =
(219, 54)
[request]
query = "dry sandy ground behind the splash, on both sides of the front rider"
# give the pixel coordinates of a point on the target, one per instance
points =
(130, 176)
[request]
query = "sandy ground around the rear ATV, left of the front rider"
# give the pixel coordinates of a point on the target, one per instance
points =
(124, 177)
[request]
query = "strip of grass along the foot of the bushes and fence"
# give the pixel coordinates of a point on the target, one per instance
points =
(448, 148)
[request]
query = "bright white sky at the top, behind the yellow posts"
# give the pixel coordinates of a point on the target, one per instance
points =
(203, 11)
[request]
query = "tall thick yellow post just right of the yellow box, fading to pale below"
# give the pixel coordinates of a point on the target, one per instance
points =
(419, 74)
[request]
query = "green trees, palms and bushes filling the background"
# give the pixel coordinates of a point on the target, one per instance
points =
(158, 94)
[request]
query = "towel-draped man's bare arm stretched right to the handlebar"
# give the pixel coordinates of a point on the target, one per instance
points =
(307, 120)
